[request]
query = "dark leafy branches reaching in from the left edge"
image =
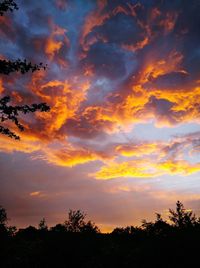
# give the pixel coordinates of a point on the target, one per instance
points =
(10, 113)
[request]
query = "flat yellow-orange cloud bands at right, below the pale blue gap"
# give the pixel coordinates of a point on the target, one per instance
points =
(152, 159)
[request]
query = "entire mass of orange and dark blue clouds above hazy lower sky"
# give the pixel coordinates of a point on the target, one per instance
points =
(120, 64)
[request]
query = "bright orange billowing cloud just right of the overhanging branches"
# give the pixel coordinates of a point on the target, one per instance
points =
(63, 97)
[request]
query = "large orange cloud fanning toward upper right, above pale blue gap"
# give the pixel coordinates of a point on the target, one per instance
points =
(136, 106)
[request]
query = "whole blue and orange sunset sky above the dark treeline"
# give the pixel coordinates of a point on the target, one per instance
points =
(122, 139)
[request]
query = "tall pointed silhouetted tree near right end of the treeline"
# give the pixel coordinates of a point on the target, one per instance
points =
(181, 217)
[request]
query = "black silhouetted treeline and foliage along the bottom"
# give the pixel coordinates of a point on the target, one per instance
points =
(153, 244)
